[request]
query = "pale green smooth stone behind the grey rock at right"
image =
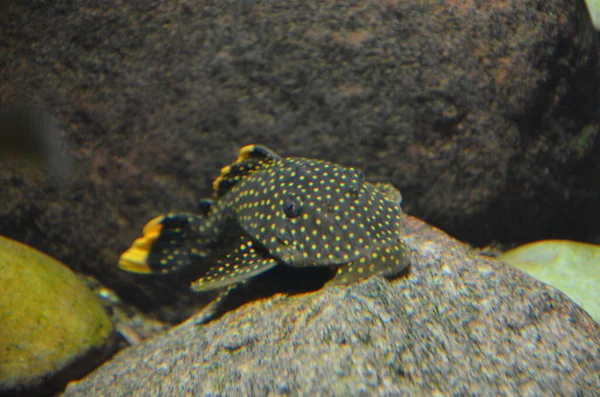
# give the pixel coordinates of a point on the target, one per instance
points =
(570, 266)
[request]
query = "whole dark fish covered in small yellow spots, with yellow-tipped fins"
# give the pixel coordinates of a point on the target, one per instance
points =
(270, 210)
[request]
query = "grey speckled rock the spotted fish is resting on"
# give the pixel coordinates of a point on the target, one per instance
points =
(456, 324)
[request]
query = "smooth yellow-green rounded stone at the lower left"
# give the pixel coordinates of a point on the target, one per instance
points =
(48, 318)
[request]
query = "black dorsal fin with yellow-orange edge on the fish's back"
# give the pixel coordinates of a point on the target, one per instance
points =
(250, 159)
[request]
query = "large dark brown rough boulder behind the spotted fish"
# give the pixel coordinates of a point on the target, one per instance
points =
(471, 108)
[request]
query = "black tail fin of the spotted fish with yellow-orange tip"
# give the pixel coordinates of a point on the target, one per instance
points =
(169, 242)
